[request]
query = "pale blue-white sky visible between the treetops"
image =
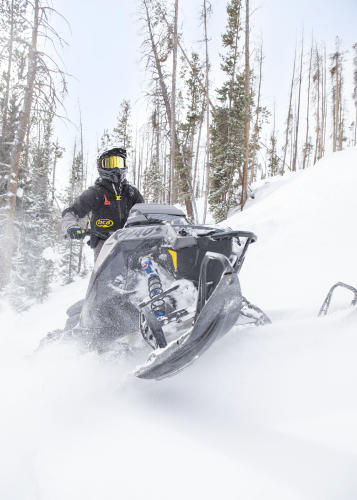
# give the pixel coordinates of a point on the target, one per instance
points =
(104, 56)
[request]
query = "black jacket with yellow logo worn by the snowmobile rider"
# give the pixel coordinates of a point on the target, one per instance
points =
(109, 206)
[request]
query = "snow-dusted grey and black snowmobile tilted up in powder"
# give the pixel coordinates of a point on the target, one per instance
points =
(174, 282)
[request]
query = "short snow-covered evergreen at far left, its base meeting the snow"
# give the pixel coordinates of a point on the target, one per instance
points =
(37, 225)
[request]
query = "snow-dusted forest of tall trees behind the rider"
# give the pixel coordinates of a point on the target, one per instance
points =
(202, 147)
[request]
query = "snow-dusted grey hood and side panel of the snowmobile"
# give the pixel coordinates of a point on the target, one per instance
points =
(114, 288)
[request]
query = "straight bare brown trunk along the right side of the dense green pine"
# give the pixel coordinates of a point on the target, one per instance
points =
(247, 110)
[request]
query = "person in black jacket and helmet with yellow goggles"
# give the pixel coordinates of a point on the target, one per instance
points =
(109, 201)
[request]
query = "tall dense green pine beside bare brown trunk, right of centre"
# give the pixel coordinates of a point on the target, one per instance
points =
(228, 130)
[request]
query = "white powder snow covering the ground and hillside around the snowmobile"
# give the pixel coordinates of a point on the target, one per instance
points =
(267, 412)
